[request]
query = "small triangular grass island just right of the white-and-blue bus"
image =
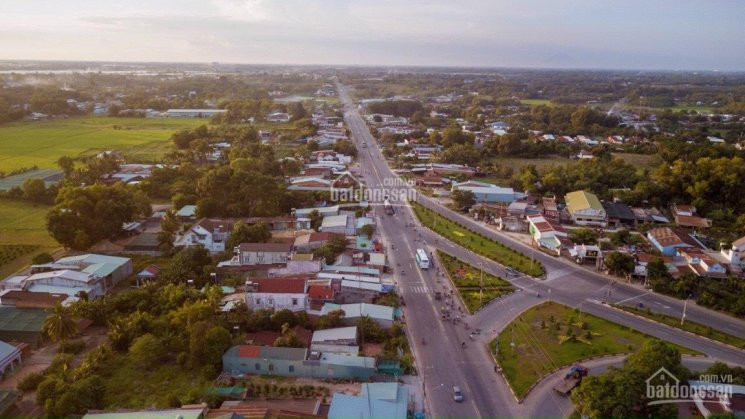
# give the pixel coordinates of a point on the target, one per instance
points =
(468, 280)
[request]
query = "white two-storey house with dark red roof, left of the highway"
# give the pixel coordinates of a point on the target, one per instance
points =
(277, 293)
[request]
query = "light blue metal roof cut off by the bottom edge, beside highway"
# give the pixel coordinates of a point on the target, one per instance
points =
(376, 400)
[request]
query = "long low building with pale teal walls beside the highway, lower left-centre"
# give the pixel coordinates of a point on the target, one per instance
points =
(296, 362)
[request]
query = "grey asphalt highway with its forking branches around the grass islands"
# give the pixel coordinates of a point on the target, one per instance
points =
(437, 344)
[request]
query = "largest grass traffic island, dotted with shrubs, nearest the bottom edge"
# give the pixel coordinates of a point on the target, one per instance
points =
(551, 335)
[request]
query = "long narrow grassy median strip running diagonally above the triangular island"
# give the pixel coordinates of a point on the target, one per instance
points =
(476, 242)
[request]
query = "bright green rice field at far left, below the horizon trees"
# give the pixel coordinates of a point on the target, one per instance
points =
(26, 144)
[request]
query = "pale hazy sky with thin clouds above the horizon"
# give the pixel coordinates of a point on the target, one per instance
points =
(611, 34)
